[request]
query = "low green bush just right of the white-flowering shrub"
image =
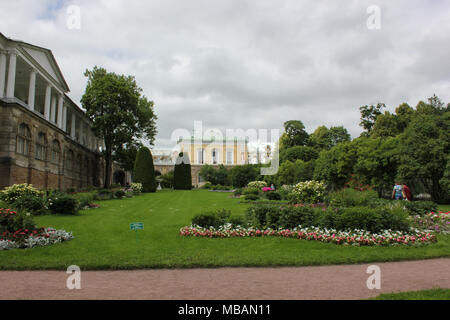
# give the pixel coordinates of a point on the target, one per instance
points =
(349, 197)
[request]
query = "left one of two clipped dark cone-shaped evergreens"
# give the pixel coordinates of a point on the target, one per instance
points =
(144, 171)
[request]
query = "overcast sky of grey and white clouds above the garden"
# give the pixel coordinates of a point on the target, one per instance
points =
(249, 64)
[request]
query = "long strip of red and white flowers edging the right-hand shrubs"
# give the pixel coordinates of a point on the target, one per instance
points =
(354, 238)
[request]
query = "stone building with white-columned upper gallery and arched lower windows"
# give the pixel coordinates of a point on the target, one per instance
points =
(45, 138)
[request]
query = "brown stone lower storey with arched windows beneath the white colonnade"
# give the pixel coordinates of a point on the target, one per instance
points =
(65, 164)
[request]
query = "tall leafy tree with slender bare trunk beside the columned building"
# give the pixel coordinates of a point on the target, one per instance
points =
(119, 112)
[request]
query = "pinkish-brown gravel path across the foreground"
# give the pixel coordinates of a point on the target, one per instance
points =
(324, 282)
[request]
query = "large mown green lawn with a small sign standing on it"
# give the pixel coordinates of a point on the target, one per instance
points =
(103, 240)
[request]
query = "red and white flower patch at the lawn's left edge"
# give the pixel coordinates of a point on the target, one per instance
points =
(31, 239)
